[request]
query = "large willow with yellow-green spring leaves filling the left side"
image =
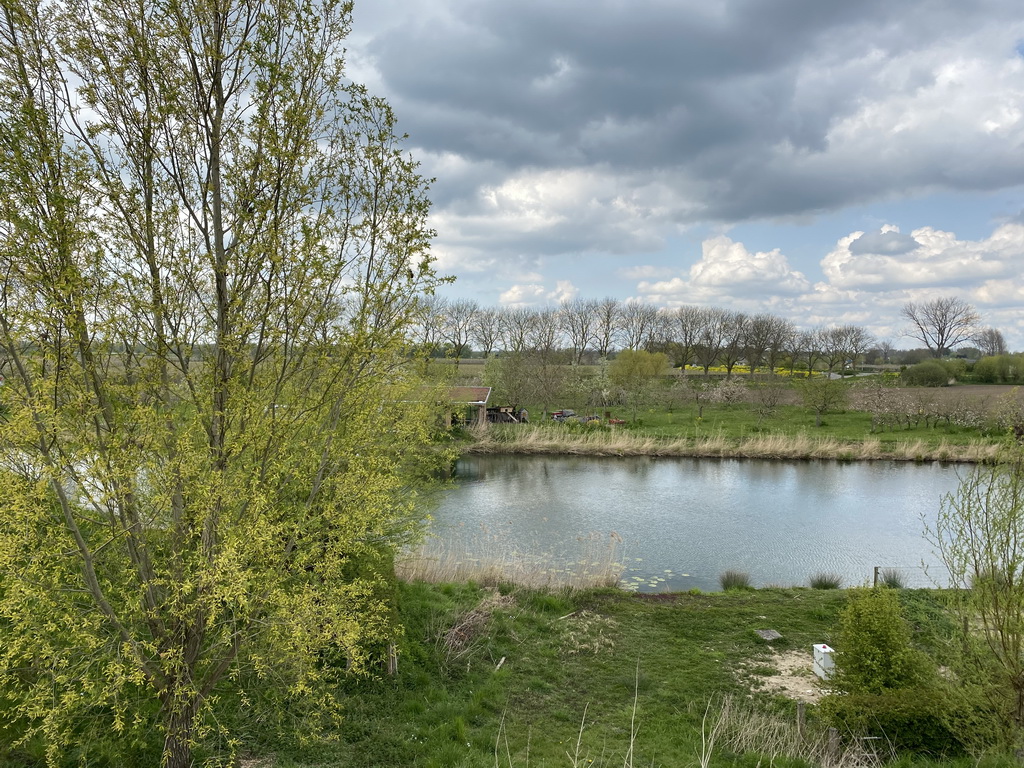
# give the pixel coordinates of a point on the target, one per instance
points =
(211, 245)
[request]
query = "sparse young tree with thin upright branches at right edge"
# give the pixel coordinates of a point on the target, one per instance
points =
(979, 537)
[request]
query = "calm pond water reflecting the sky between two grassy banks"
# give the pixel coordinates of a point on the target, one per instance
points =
(685, 522)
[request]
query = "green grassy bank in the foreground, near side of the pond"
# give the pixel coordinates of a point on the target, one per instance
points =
(514, 677)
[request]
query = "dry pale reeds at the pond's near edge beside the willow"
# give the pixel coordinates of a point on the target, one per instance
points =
(599, 563)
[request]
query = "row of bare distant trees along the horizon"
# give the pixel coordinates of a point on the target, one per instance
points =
(690, 335)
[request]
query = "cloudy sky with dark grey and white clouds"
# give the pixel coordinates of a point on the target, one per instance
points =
(825, 161)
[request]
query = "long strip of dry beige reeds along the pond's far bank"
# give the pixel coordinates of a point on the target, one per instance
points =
(545, 440)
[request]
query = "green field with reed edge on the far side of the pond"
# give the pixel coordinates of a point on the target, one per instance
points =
(957, 423)
